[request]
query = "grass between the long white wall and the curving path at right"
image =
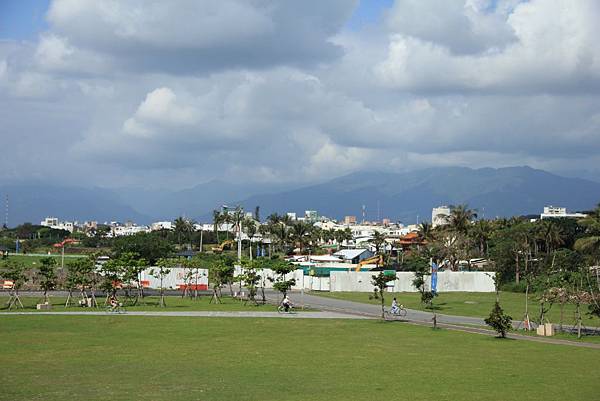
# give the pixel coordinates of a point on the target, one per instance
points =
(476, 304)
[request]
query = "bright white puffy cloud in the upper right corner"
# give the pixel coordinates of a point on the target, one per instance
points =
(555, 51)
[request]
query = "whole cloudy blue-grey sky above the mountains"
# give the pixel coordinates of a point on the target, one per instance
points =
(156, 94)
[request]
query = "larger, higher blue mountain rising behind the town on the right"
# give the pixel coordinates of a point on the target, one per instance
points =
(404, 196)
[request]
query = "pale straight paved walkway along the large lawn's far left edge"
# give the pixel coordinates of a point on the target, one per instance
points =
(295, 315)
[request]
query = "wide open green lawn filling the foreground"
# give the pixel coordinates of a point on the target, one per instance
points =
(165, 358)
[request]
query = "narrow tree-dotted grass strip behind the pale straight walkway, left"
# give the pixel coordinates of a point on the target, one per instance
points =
(174, 303)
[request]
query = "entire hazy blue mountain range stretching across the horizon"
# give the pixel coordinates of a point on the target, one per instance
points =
(405, 197)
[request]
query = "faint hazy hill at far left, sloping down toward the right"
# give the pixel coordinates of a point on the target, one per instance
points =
(32, 202)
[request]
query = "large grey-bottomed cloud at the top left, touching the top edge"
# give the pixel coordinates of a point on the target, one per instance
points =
(192, 36)
